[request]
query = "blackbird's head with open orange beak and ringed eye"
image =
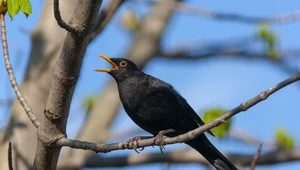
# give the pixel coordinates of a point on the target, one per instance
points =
(121, 68)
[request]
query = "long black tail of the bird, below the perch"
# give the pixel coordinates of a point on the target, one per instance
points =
(212, 154)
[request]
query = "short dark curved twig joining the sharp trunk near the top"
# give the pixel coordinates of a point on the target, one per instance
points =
(60, 21)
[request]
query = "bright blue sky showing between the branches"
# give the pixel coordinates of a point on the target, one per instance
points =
(218, 81)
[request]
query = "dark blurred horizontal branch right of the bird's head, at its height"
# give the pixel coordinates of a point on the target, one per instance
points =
(228, 50)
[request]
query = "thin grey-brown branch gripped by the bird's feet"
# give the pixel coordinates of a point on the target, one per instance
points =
(184, 137)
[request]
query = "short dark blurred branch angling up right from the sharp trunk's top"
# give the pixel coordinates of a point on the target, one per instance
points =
(104, 17)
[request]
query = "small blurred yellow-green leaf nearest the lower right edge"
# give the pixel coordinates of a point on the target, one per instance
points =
(284, 140)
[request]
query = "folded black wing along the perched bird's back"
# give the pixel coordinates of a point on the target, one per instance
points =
(166, 91)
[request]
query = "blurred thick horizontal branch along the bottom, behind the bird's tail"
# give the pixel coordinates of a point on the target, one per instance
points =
(183, 156)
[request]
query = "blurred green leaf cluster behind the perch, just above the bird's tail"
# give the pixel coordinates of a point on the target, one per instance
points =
(212, 113)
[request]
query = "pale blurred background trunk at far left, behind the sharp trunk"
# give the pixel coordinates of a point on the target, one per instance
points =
(35, 87)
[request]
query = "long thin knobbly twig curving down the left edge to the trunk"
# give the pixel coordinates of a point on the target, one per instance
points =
(12, 78)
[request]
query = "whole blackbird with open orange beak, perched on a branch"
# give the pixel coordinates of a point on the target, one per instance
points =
(157, 108)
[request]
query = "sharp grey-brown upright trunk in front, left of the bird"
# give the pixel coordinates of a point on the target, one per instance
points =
(65, 76)
